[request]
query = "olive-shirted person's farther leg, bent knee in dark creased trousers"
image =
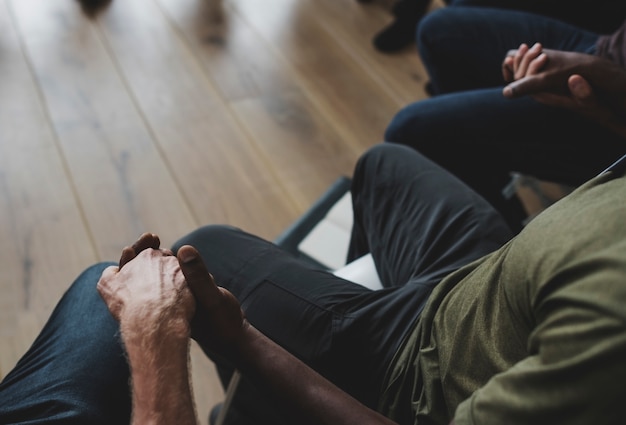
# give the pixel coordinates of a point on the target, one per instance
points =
(419, 222)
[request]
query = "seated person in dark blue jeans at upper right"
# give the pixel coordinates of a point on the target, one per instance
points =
(481, 136)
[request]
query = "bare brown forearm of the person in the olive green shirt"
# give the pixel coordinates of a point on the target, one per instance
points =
(306, 396)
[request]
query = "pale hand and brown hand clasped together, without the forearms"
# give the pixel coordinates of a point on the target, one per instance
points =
(153, 294)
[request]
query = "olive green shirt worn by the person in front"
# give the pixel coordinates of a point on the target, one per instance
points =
(534, 333)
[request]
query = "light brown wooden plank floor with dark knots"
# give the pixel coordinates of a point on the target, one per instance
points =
(152, 117)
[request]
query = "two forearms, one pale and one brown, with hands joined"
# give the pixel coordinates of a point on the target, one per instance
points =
(153, 295)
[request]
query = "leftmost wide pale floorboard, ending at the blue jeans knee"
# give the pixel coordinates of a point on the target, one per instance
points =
(45, 241)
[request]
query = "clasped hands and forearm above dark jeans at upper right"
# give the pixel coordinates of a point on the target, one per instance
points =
(589, 85)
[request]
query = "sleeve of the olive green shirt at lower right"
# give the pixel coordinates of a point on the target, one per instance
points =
(575, 372)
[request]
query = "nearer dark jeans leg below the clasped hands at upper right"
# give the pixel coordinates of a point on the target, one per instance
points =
(481, 137)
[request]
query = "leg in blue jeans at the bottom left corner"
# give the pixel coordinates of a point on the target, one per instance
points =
(76, 370)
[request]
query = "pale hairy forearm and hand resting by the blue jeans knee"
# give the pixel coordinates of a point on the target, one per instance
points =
(149, 297)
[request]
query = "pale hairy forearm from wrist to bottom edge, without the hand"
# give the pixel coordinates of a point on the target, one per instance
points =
(160, 379)
